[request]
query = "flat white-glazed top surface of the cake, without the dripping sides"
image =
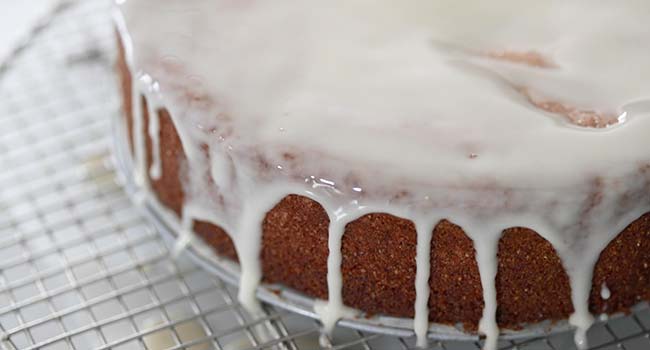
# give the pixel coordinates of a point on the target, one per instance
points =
(520, 94)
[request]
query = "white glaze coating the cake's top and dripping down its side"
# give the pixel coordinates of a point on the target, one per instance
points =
(291, 97)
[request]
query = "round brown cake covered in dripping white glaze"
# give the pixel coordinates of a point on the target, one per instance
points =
(451, 162)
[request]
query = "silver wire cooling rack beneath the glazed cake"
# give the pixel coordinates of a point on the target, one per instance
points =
(81, 269)
